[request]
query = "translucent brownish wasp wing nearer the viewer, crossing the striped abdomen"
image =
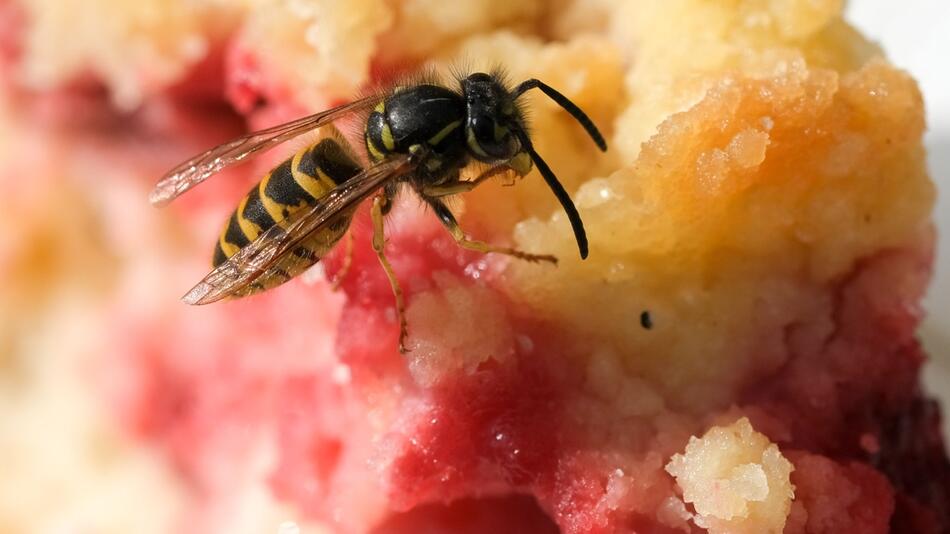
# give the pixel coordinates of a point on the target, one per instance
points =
(262, 256)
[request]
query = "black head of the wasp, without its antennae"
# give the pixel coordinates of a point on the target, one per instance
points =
(489, 112)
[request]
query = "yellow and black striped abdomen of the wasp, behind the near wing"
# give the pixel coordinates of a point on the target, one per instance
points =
(298, 182)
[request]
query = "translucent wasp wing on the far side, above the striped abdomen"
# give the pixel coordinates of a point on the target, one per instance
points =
(201, 167)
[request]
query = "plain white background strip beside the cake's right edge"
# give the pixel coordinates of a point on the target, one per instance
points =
(915, 35)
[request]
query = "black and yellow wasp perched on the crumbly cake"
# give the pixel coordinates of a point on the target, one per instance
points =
(417, 136)
